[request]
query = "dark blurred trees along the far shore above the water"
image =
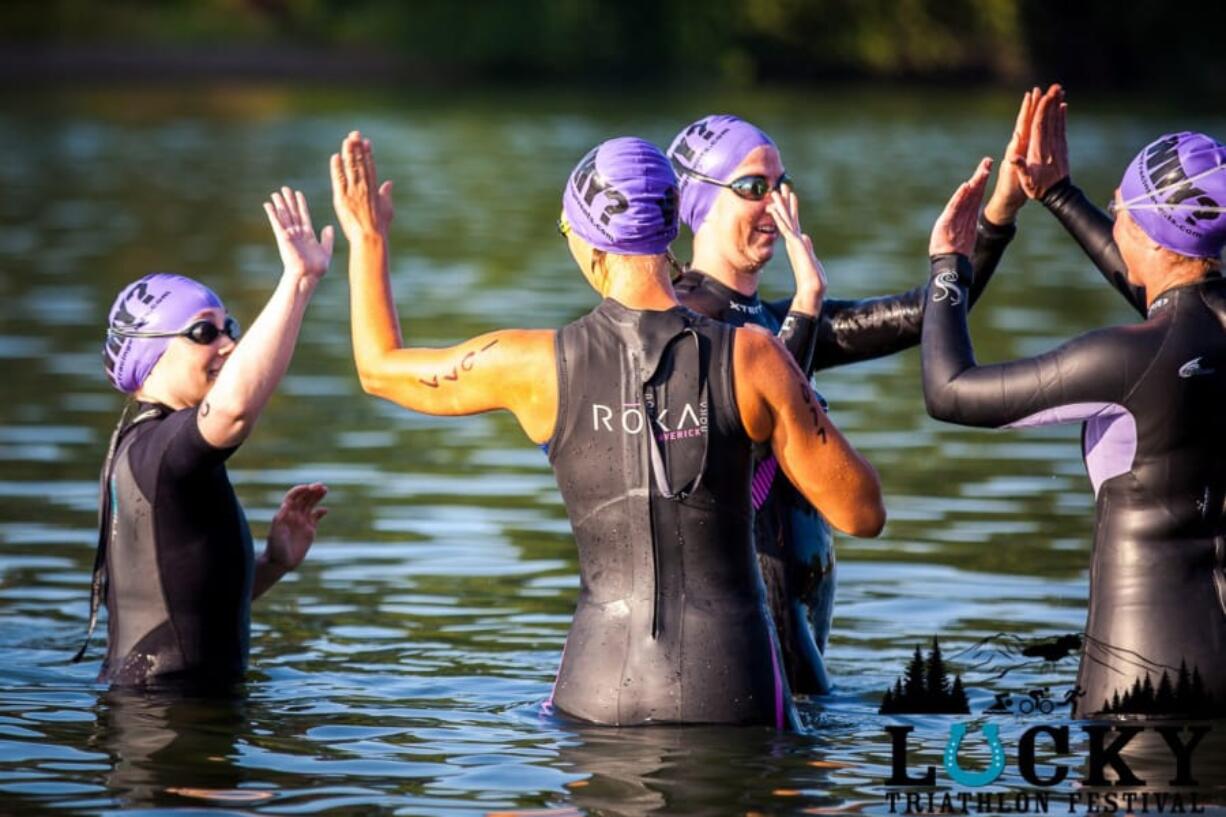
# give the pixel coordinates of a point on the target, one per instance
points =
(1146, 46)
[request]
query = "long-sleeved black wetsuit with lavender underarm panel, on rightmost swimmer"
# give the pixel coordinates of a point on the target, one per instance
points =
(1151, 397)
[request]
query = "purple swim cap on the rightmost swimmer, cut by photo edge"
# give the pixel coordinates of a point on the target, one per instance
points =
(1176, 193)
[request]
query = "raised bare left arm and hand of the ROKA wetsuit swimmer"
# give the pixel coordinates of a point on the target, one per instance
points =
(513, 370)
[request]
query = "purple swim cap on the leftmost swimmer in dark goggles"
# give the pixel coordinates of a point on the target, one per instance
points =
(159, 302)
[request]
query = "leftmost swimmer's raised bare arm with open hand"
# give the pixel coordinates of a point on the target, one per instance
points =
(257, 366)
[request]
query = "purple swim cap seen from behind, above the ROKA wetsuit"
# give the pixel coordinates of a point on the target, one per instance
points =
(622, 198)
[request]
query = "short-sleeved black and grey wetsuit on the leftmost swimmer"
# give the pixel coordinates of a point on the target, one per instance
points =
(178, 558)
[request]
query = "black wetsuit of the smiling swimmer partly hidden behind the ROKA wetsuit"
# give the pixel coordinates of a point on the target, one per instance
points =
(795, 544)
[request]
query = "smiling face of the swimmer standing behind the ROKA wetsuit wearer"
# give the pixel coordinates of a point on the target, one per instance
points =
(740, 231)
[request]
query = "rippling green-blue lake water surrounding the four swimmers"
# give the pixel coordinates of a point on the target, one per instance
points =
(403, 669)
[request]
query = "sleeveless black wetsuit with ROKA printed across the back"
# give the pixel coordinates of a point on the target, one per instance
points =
(671, 625)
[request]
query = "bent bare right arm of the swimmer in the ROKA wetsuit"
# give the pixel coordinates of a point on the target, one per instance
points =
(777, 404)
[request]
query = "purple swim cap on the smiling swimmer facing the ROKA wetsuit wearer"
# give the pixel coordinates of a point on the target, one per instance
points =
(713, 147)
